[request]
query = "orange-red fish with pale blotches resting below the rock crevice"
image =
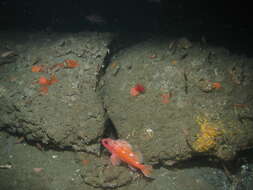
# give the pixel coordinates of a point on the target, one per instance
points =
(122, 151)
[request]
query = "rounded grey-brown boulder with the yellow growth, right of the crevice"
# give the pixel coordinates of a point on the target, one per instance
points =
(197, 100)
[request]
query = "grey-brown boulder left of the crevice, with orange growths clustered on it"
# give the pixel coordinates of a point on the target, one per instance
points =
(70, 114)
